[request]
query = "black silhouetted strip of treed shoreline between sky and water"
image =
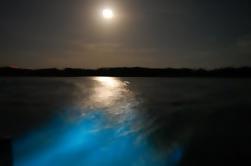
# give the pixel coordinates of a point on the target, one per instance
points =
(244, 71)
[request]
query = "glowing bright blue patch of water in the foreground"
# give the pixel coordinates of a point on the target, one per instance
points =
(86, 142)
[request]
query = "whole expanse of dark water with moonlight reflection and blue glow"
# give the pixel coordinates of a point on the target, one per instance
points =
(126, 121)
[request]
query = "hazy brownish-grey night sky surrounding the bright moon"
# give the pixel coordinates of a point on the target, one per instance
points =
(146, 33)
